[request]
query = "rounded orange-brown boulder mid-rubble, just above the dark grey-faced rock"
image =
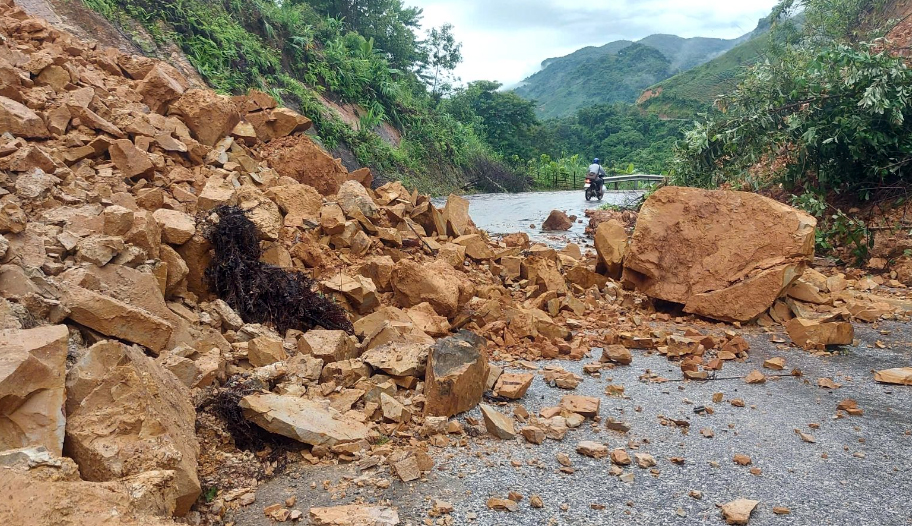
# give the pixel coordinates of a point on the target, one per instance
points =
(436, 283)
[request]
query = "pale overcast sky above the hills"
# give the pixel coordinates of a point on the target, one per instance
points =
(506, 40)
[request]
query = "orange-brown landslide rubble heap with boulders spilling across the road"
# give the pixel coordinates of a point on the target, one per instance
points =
(130, 392)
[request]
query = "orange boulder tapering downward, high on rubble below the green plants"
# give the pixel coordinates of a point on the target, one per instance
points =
(210, 116)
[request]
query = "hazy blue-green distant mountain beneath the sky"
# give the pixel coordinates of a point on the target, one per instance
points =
(616, 72)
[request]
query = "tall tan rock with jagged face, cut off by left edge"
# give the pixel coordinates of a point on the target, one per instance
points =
(32, 387)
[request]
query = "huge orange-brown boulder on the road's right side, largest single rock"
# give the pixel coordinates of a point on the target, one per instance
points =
(724, 255)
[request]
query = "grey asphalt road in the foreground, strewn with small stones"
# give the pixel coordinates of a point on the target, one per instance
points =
(857, 472)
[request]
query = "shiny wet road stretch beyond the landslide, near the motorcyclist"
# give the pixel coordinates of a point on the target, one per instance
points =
(509, 213)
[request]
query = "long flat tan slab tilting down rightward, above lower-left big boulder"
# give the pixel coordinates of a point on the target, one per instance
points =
(117, 319)
